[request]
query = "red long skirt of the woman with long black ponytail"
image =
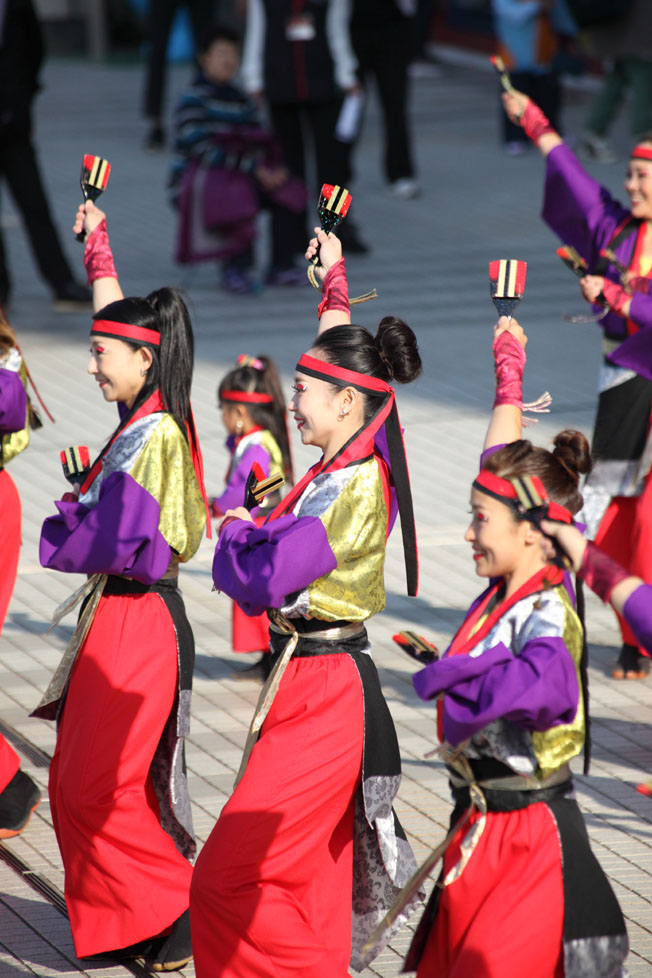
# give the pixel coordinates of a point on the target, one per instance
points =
(125, 879)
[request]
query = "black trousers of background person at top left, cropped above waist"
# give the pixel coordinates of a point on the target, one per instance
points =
(161, 16)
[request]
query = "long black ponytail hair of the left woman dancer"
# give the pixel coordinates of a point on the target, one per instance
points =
(165, 311)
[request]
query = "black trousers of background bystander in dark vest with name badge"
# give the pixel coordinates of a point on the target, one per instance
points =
(310, 125)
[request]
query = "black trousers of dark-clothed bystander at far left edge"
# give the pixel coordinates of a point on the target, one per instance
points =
(19, 169)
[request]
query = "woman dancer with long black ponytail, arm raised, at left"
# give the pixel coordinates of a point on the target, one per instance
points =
(121, 695)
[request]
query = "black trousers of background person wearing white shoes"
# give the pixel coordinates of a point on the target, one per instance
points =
(383, 51)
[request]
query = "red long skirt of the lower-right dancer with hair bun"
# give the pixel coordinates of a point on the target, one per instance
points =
(503, 917)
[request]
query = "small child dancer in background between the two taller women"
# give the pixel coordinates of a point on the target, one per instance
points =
(253, 412)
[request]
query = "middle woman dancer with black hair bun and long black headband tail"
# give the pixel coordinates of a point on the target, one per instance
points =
(311, 820)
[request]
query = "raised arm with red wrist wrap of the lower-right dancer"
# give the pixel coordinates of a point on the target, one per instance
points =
(509, 354)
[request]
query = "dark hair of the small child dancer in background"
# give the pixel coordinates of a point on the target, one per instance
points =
(270, 416)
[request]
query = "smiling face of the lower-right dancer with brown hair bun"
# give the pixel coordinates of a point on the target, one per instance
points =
(499, 542)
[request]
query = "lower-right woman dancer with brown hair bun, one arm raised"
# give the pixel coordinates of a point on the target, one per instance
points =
(511, 700)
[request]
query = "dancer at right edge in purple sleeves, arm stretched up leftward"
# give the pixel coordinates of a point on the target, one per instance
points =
(618, 495)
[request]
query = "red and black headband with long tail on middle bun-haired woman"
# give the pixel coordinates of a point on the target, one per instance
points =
(387, 415)
